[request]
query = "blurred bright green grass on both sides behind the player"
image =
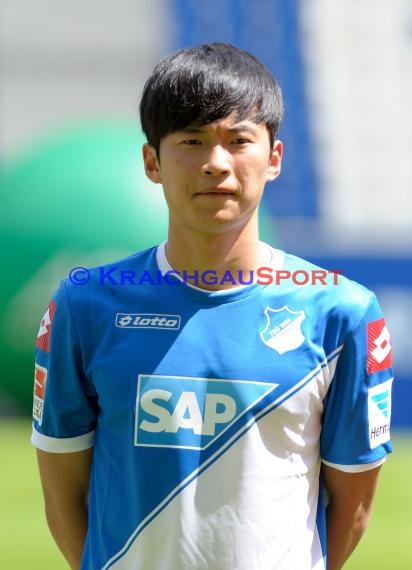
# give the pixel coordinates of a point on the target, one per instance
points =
(27, 545)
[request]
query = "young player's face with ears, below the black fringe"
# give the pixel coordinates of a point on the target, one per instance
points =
(213, 176)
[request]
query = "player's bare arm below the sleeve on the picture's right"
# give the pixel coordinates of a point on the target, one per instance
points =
(349, 508)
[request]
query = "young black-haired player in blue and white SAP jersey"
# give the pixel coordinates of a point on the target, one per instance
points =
(184, 420)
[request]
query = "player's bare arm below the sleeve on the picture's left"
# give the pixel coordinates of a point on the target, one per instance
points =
(65, 482)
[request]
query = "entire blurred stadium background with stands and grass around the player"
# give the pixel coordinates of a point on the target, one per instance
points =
(72, 189)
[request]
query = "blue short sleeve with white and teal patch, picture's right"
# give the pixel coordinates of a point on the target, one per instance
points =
(357, 409)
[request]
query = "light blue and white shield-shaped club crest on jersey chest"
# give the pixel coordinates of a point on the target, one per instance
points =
(283, 329)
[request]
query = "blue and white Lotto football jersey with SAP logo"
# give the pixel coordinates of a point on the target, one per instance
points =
(210, 411)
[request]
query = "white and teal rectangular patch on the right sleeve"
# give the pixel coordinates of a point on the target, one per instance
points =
(379, 413)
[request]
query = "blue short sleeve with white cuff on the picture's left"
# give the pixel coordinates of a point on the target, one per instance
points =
(64, 401)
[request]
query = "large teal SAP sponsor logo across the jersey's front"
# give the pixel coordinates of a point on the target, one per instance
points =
(191, 413)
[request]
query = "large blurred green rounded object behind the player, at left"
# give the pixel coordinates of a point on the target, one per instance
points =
(78, 198)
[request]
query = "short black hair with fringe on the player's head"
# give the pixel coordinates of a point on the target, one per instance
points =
(200, 85)
